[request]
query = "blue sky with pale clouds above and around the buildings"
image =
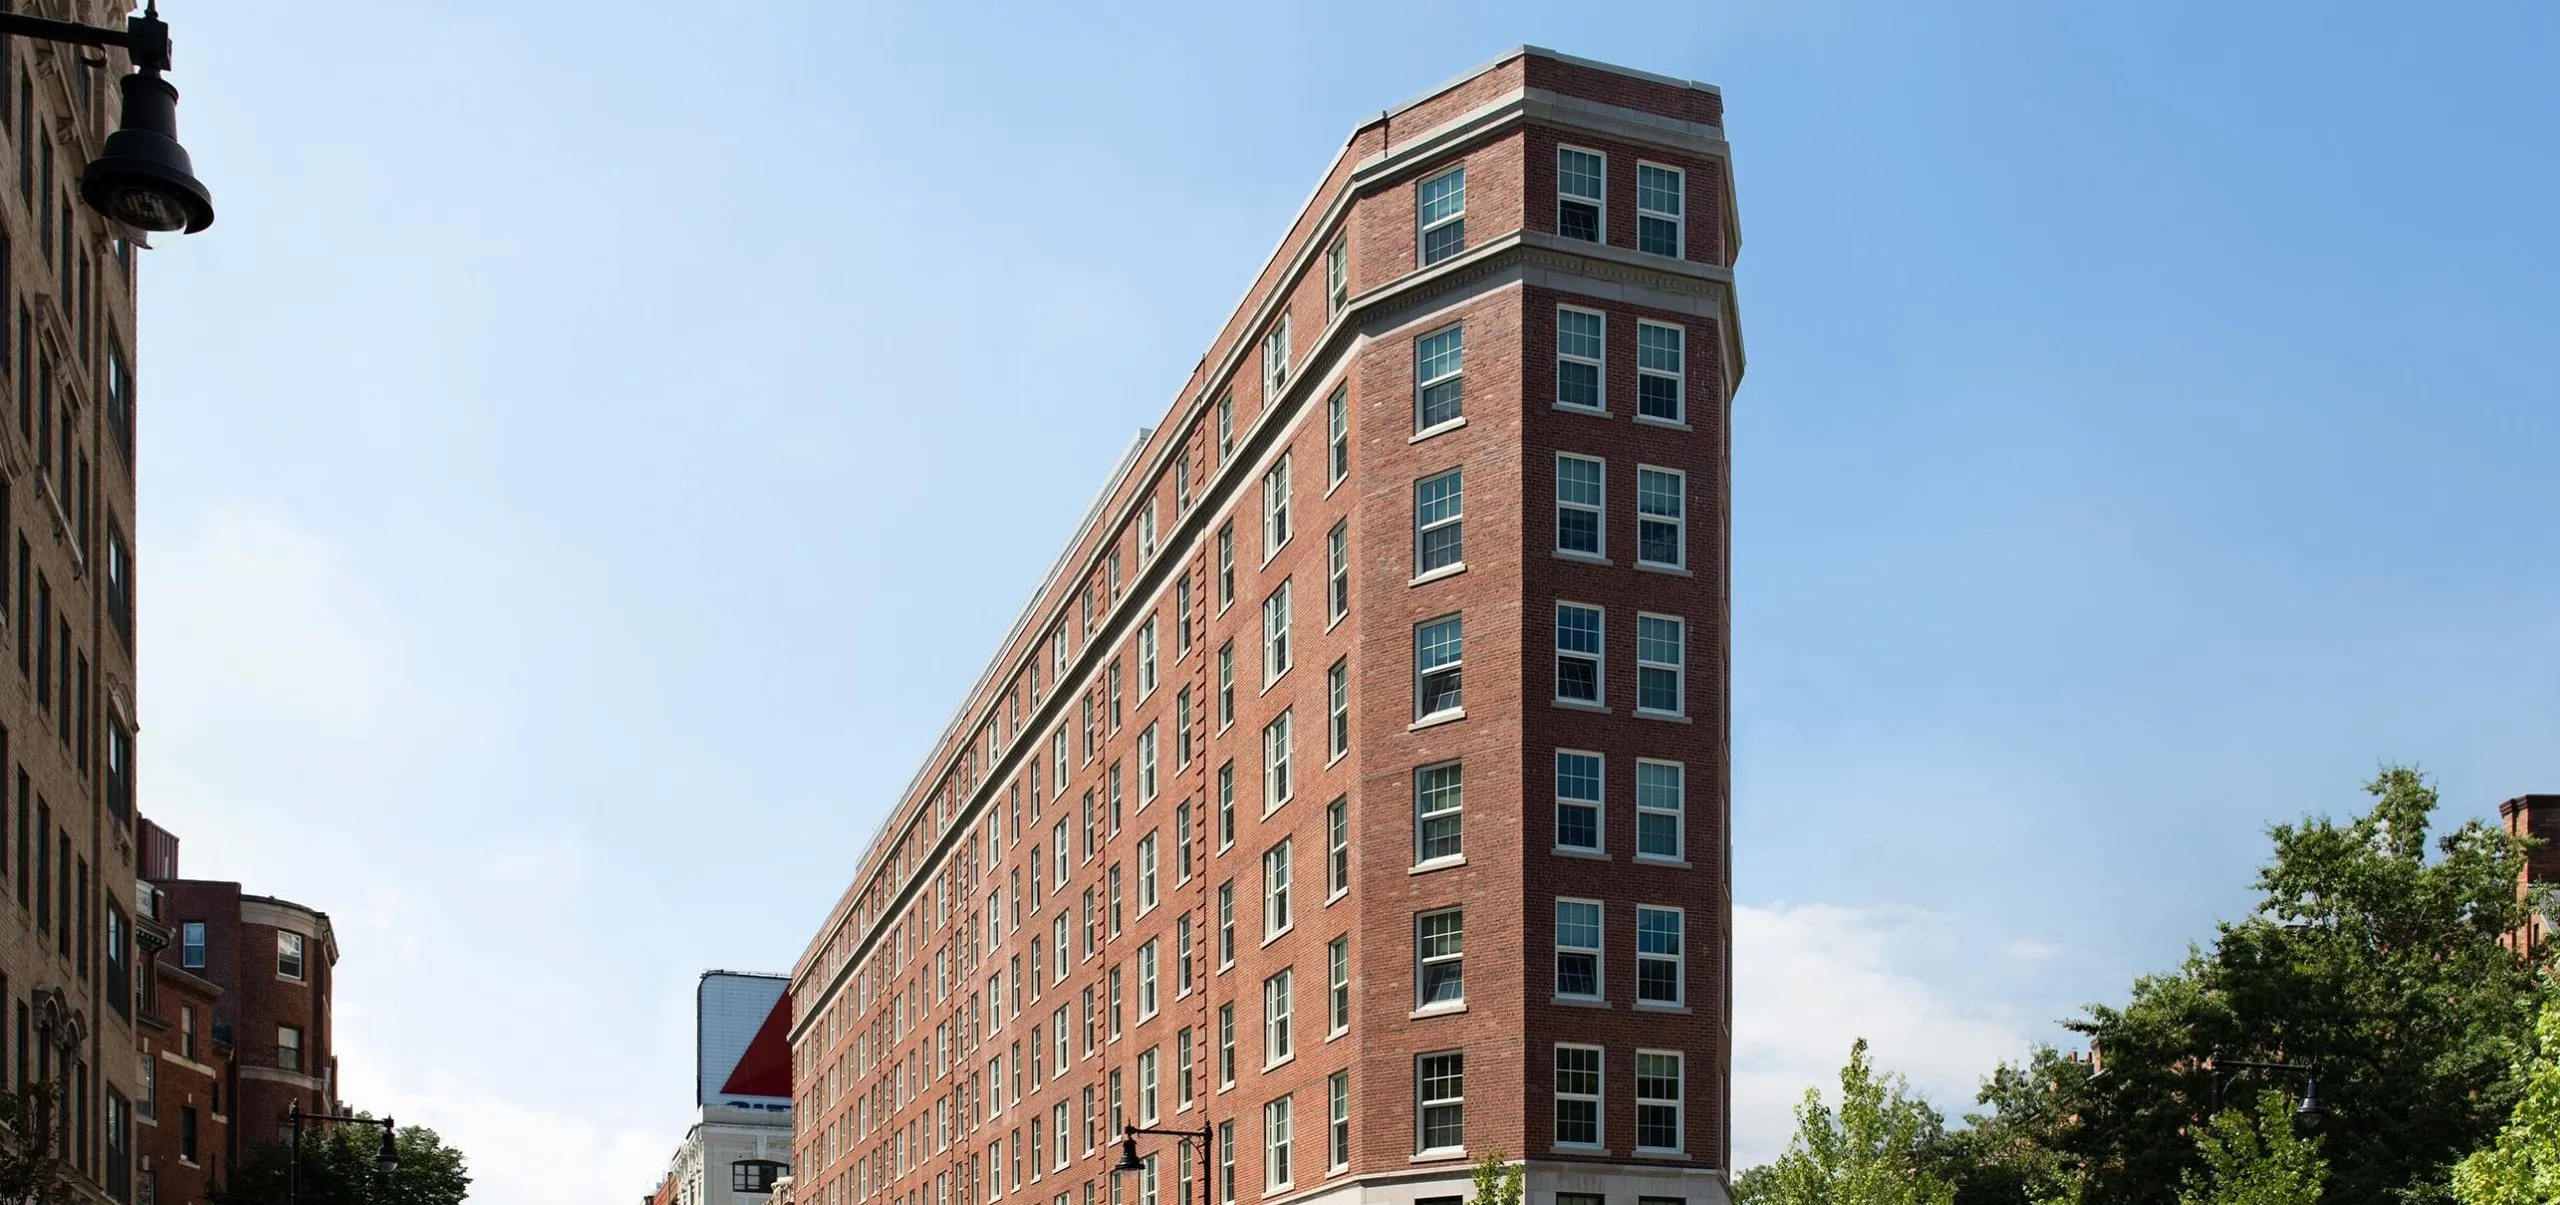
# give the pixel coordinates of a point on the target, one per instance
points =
(593, 454)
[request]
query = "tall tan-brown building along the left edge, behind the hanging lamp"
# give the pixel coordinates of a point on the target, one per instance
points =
(68, 628)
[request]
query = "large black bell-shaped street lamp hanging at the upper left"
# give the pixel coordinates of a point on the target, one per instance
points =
(145, 175)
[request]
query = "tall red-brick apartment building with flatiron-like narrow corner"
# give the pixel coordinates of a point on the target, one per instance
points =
(1356, 784)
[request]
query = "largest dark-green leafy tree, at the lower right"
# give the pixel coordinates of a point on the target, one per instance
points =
(2367, 953)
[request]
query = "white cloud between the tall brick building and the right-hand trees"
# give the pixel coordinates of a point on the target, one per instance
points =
(1811, 979)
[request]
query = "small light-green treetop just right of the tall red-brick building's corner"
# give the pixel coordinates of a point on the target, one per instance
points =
(1878, 1150)
